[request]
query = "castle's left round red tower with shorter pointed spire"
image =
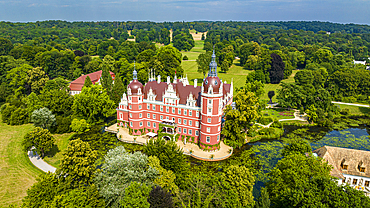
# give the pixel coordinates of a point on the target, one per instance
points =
(135, 104)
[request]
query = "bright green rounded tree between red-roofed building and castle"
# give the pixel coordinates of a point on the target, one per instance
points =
(93, 104)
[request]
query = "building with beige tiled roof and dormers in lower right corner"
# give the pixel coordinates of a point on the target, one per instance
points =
(350, 166)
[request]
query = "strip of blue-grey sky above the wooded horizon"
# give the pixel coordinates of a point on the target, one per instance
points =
(340, 11)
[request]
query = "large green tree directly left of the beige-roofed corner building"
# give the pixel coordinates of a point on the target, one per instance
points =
(293, 172)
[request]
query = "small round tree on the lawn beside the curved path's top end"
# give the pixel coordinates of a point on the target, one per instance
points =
(39, 138)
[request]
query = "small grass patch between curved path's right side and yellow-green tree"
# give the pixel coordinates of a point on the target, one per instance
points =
(55, 155)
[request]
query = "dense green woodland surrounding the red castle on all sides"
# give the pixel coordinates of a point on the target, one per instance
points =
(39, 59)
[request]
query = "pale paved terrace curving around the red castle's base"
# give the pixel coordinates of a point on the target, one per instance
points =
(221, 154)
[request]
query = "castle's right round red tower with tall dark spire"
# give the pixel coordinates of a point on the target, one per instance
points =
(211, 105)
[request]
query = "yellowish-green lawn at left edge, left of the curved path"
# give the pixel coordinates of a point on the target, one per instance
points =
(17, 173)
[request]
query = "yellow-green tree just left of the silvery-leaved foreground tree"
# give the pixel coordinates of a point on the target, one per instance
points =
(77, 163)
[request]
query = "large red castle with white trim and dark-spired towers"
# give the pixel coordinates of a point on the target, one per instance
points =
(177, 110)
